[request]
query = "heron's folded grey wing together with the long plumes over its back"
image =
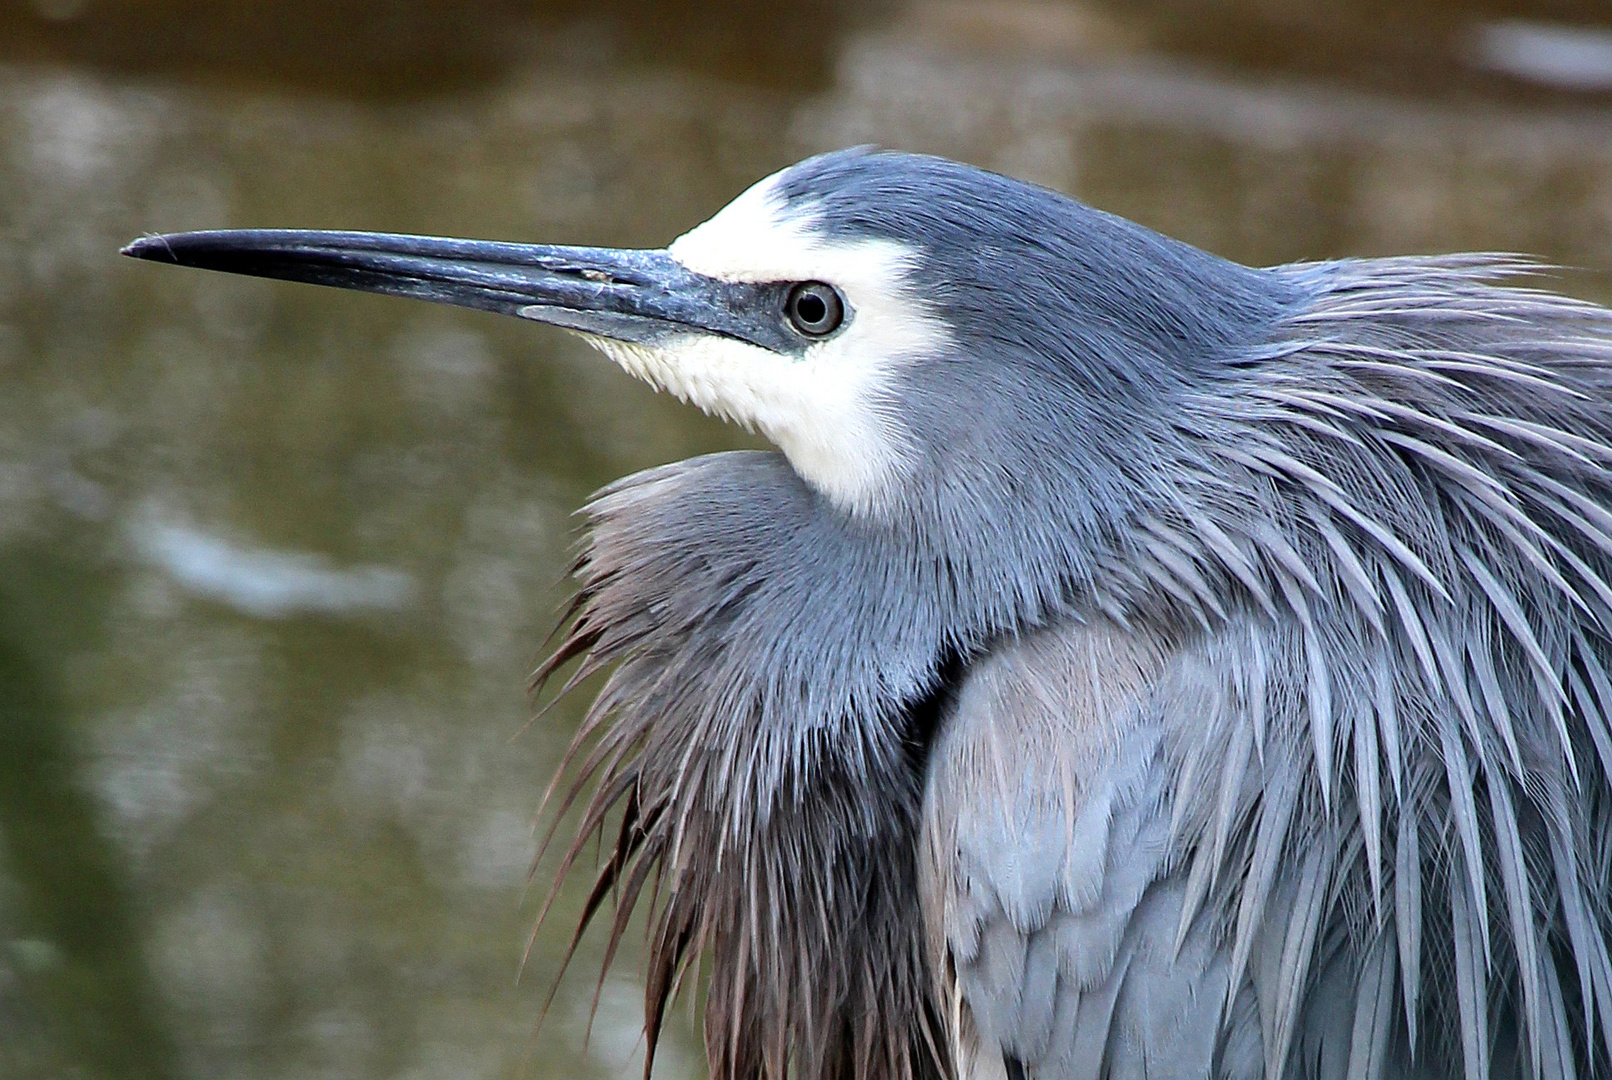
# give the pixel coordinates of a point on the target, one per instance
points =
(1384, 773)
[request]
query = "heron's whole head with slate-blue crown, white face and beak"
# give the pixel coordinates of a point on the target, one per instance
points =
(879, 317)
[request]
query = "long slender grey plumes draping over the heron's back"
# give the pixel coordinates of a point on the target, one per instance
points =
(1421, 457)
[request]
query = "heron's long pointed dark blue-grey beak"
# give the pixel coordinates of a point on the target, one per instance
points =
(629, 296)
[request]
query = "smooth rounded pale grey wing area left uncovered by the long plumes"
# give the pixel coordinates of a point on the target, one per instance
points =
(1049, 899)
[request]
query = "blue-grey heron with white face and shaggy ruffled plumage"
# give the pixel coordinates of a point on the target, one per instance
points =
(1129, 663)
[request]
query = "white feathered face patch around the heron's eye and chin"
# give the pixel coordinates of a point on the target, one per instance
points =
(828, 410)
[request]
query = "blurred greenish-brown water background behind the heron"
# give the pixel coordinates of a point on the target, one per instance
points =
(276, 562)
